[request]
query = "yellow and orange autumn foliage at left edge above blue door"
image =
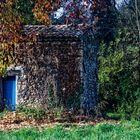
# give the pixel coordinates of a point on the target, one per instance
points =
(10, 26)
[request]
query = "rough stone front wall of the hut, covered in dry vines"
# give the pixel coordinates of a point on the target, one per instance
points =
(52, 75)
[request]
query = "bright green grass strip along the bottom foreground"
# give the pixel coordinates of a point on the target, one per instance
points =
(128, 130)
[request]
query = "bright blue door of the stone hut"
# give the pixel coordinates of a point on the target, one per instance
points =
(9, 92)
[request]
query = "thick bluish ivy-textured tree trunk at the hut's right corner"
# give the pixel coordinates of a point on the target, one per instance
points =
(90, 68)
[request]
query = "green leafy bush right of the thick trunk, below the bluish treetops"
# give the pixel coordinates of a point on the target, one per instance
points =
(119, 77)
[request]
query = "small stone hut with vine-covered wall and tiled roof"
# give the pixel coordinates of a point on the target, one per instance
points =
(52, 66)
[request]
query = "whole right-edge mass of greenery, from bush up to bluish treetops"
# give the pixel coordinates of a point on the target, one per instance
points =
(119, 74)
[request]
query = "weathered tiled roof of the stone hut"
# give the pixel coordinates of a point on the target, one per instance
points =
(55, 30)
